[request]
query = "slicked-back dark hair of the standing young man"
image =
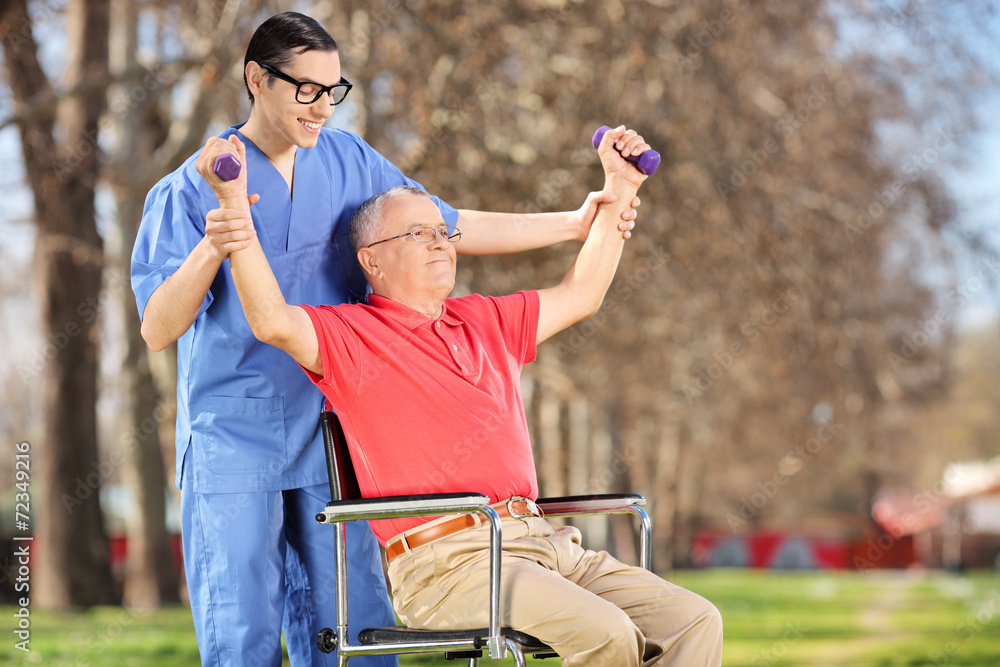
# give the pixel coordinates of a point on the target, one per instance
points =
(280, 37)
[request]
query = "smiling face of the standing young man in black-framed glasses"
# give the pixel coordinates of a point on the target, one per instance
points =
(277, 120)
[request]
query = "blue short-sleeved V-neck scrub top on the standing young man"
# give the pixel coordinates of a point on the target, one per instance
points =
(247, 415)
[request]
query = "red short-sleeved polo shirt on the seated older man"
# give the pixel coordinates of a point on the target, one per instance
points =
(431, 406)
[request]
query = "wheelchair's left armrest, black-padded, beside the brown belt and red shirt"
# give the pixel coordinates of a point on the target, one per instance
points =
(388, 507)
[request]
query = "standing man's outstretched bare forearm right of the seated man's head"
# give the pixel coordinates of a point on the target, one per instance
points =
(486, 233)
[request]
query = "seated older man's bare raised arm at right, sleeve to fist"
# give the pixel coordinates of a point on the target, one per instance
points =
(582, 289)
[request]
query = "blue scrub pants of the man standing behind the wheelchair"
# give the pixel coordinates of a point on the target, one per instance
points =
(258, 564)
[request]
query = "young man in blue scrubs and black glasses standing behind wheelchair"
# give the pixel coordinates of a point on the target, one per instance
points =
(249, 450)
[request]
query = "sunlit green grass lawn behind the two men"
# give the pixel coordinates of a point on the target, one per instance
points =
(802, 618)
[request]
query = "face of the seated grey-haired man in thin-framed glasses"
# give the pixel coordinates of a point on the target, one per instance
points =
(417, 275)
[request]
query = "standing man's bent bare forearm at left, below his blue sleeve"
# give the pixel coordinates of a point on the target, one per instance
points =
(174, 305)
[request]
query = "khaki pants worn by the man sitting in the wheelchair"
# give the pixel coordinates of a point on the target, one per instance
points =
(590, 608)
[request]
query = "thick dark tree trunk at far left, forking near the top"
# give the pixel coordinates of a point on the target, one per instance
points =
(72, 547)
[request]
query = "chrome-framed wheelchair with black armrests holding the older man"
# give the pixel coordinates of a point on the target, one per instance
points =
(346, 504)
